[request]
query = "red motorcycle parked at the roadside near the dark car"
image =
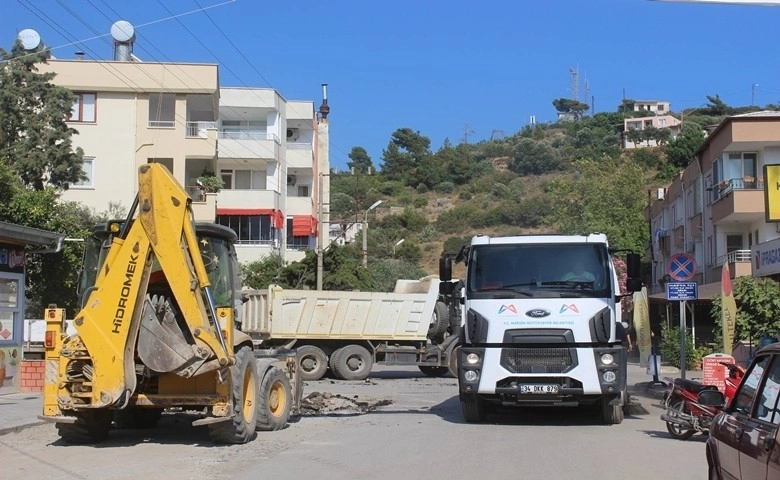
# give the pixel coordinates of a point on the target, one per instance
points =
(691, 406)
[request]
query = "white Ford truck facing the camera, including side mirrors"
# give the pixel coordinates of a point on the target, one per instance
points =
(540, 316)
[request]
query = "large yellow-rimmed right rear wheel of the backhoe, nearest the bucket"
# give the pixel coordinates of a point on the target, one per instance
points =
(244, 388)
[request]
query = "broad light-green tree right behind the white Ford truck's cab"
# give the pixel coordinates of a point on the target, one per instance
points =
(601, 196)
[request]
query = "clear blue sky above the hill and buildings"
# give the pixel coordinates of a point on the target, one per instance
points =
(434, 65)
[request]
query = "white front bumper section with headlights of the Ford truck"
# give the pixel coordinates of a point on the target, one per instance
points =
(590, 380)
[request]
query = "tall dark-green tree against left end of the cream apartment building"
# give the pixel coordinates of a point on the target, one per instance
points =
(35, 140)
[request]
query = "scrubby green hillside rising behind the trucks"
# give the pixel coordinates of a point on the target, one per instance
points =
(567, 177)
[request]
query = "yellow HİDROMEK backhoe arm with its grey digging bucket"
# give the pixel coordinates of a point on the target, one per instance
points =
(171, 329)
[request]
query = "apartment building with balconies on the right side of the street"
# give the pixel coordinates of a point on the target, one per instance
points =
(714, 210)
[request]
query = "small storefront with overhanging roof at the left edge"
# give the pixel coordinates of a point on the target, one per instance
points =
(14, 240)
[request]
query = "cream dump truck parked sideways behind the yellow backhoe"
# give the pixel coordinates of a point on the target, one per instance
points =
(347, 332)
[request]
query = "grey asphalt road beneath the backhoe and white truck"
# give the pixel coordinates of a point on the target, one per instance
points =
(397, 424)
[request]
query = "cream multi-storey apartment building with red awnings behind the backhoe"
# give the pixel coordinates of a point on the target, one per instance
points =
(267, 150)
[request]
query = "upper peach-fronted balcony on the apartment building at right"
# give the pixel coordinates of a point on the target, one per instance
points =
(738, 200)
